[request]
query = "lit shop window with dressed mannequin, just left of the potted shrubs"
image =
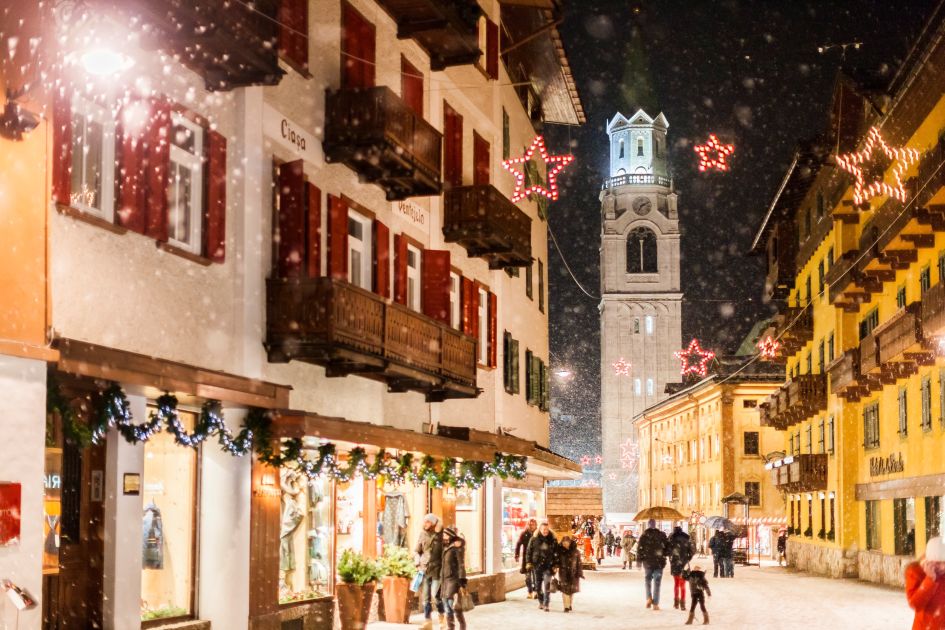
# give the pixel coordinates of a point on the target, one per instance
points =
(305, 536)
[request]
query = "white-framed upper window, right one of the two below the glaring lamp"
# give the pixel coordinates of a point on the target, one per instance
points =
(185, 184)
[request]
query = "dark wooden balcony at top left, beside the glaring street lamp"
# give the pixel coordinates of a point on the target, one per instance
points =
(230, 44)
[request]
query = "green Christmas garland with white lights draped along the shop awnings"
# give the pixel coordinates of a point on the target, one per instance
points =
(112, 409)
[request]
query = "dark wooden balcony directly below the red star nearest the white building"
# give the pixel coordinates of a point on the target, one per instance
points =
(488, 226)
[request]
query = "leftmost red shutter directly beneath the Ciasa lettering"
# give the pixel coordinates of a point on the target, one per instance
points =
(291, 242)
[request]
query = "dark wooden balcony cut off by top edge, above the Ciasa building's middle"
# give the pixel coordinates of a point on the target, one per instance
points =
(446, 29)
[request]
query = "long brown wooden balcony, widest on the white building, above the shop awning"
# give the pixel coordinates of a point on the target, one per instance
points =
(348, 330)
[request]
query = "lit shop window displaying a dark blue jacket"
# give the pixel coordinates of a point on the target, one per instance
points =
(169, 496)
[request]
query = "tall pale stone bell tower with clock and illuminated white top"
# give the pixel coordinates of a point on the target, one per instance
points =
(640, 310)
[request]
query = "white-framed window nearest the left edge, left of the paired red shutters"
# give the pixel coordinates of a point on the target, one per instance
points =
(93, 160)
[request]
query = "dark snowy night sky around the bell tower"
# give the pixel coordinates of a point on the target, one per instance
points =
(748, 71)
